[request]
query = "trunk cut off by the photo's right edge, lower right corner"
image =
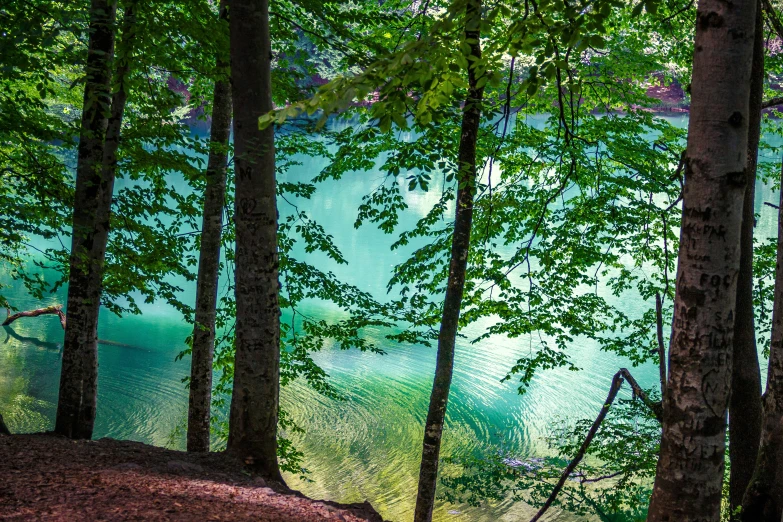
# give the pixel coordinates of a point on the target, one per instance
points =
(763, 501)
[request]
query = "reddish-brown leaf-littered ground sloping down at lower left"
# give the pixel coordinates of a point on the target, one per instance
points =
(45, 477)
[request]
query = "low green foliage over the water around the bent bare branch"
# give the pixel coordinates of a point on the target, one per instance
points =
(613, 482)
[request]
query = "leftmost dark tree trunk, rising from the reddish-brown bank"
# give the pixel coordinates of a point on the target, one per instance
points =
(73, 407)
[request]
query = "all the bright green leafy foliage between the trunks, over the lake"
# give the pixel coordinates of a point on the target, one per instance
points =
(577, 206)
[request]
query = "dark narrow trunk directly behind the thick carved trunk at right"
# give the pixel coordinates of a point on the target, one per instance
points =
(745, 402)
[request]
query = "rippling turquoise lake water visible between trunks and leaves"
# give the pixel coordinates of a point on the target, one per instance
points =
(366, 447)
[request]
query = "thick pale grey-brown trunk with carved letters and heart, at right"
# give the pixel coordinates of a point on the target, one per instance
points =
(690, 467)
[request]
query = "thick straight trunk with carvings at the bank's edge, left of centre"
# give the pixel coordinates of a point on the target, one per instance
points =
(255, 398)
